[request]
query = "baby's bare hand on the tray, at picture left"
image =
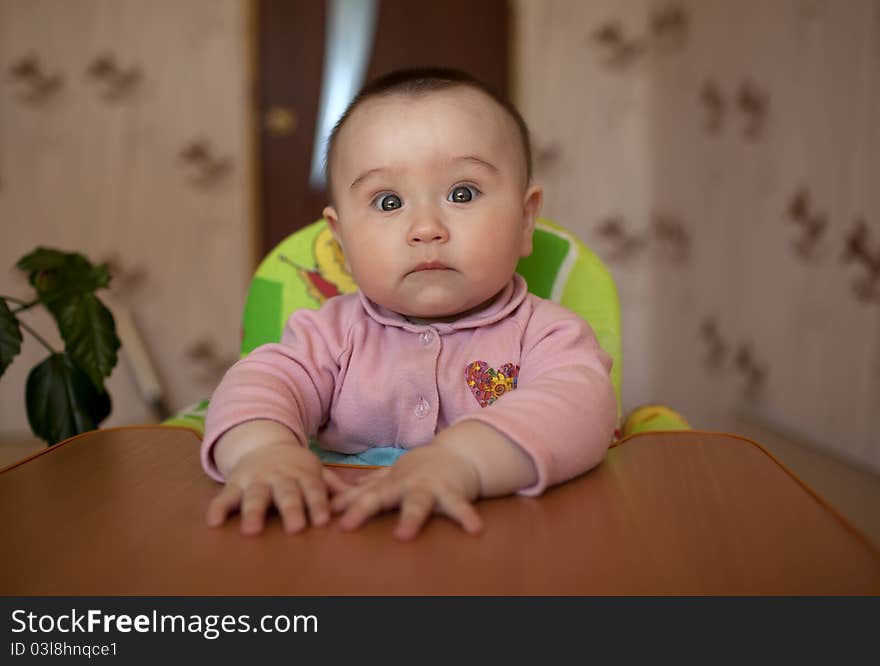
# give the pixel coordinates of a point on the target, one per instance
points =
(285, 474)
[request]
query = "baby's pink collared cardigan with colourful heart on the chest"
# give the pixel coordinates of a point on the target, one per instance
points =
(357, 375)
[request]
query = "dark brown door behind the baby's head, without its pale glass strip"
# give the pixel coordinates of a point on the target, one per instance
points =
(467, 34)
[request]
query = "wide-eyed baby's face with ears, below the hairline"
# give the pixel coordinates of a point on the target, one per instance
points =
(432, 207)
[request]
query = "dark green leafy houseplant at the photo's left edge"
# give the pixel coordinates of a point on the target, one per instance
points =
(65, 393)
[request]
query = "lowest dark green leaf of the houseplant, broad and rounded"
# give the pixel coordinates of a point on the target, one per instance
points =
(62, 401)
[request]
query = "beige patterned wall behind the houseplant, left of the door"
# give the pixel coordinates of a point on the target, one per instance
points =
(92, 159)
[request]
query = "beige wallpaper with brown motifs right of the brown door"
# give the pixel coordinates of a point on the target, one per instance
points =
(722, 157)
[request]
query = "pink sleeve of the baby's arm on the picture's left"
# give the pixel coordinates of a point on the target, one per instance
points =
(291, 382)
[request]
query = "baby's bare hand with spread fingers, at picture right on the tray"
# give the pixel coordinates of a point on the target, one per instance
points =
(429, 479)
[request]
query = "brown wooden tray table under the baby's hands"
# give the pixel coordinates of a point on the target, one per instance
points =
(121, 512)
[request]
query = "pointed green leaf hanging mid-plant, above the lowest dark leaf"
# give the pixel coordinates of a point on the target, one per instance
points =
(89, 334)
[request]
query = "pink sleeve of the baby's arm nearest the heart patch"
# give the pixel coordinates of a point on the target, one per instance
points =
(564, 410)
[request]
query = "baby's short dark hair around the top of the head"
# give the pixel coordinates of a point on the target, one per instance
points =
(419, 81)
